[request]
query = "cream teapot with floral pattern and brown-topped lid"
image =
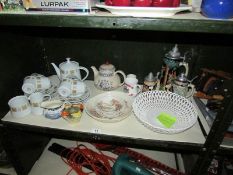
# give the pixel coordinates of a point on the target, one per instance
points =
(106, 78)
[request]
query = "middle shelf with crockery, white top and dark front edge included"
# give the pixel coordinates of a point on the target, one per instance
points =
(128, 131)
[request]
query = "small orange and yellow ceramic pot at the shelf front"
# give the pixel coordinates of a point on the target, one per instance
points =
(72, 112)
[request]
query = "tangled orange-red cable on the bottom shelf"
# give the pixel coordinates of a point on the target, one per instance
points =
(99, 163)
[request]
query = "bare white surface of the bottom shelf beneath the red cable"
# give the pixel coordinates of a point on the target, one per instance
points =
(50, 163)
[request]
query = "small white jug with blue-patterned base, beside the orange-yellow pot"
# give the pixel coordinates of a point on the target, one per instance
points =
(53, 108)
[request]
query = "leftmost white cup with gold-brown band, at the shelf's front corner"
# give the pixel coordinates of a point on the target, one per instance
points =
(19, 106)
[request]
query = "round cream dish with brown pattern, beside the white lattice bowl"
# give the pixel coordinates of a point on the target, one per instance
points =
(111, 106)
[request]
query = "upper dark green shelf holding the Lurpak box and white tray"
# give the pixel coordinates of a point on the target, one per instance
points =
(182, 22)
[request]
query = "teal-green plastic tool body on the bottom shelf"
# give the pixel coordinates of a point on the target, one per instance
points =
(124, 165)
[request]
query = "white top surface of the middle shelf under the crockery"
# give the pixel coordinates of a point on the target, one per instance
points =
(129, 127)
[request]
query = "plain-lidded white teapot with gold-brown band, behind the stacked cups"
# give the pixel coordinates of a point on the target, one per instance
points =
(70, 68)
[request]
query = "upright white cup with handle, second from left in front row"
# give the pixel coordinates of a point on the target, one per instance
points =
(35, 100)
